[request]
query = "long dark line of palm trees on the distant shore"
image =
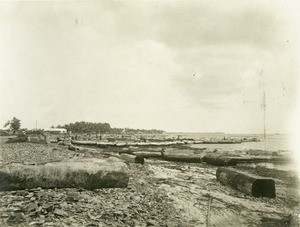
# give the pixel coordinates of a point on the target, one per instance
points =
(100, 128)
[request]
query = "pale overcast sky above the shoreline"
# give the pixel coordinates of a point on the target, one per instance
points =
(190, 66)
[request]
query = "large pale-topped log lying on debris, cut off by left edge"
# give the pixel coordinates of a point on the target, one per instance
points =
(74, 173)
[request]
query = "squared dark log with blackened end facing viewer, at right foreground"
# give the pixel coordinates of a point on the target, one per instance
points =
(249, 184)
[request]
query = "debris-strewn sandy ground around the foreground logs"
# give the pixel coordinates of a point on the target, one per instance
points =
(159, 193)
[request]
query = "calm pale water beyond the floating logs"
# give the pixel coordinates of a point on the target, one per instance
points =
(273, 142)
